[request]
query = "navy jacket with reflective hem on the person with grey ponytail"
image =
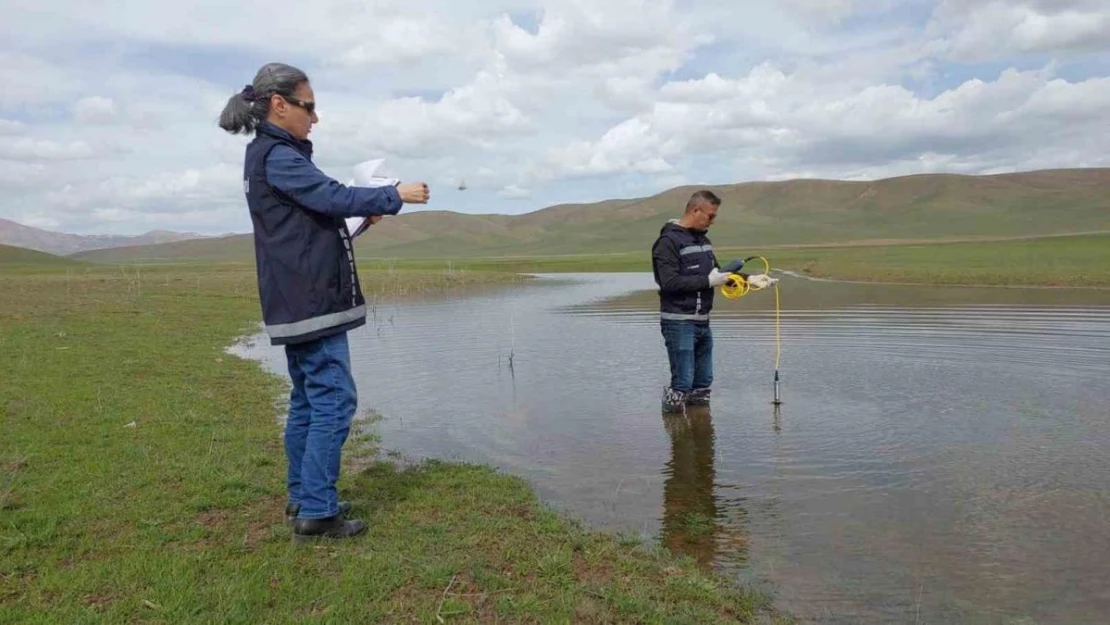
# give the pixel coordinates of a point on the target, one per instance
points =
(308, 283)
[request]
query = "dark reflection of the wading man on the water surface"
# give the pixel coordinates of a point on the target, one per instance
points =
(690, 508)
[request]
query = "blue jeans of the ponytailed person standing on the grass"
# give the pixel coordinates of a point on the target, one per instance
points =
(321, 407)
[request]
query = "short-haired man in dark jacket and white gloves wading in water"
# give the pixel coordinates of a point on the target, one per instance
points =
(688, 273)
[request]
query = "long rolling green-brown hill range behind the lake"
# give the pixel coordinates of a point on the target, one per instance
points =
(905, 209)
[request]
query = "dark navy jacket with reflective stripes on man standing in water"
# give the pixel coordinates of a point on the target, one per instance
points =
(682, 260)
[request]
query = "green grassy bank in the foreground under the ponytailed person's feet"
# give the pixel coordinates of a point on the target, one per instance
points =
(144, 482)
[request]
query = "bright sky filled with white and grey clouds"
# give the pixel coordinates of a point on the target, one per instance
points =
(108, 115)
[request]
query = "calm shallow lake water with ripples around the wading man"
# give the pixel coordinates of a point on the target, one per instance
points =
(942, 455)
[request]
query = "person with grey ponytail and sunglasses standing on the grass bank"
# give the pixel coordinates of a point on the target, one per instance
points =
(308, 284)
